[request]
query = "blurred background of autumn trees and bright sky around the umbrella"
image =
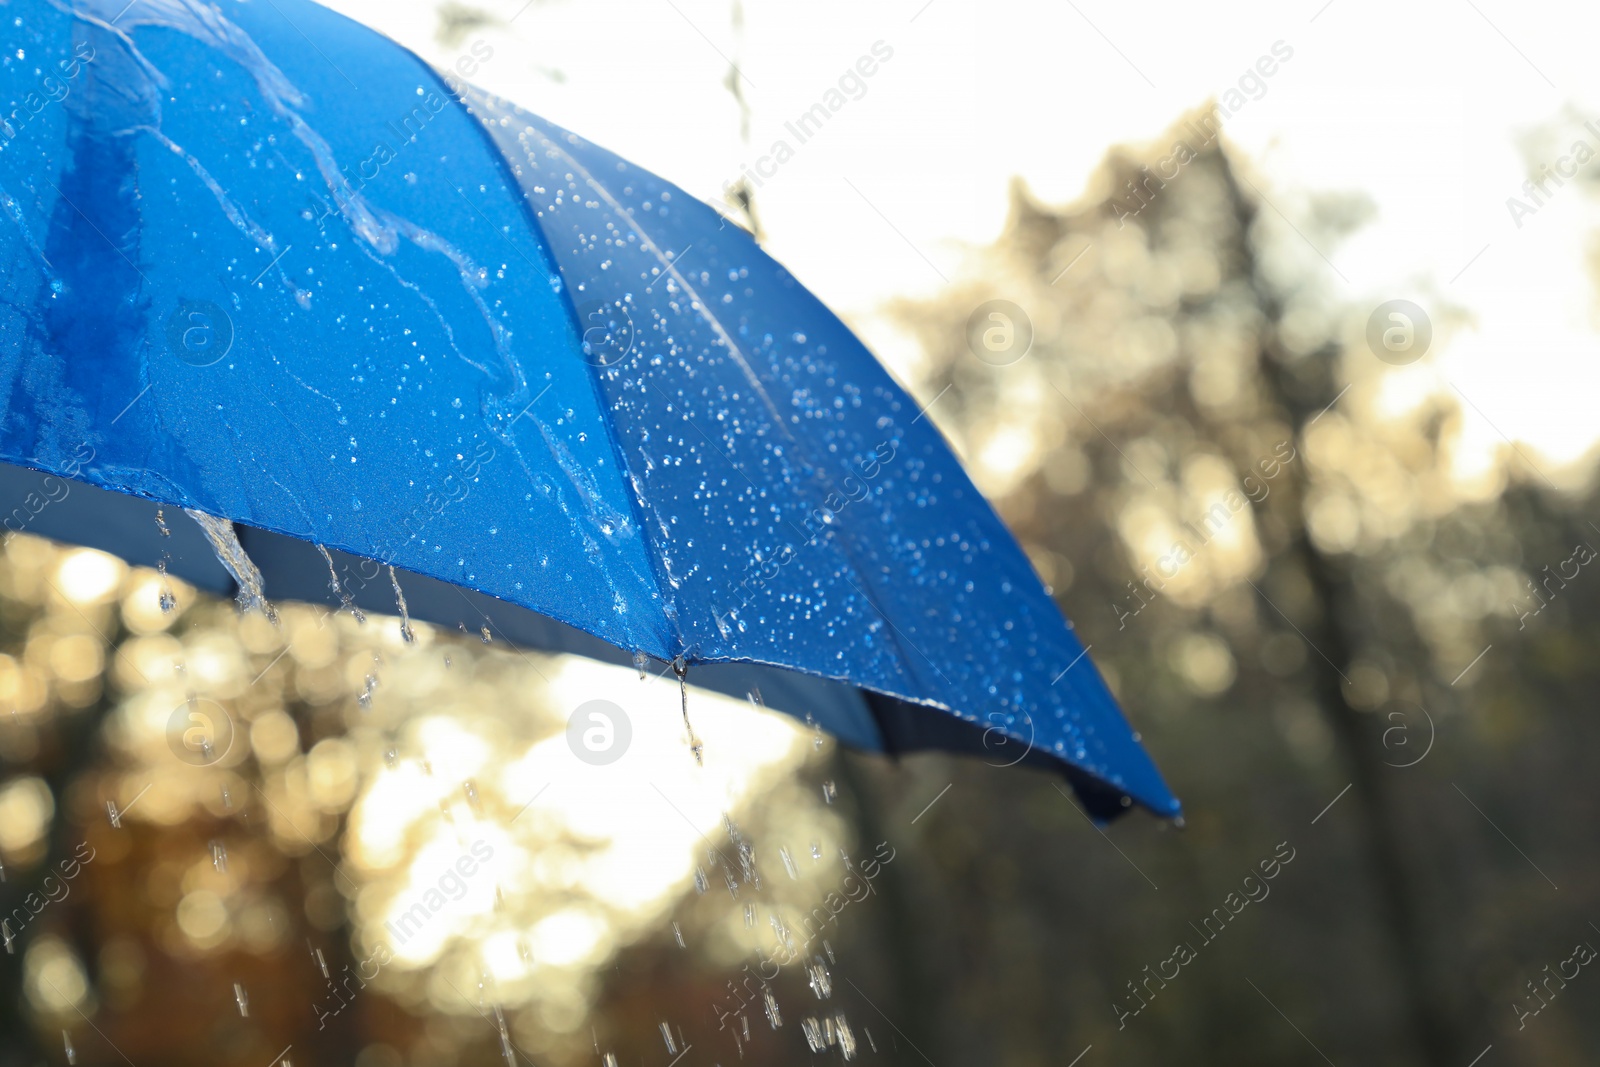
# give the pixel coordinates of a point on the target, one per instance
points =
(1311, 545)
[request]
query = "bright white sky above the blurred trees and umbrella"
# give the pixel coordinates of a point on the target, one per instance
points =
(1425, 108)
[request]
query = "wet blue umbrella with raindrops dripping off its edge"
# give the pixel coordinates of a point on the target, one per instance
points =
(428, 350)
